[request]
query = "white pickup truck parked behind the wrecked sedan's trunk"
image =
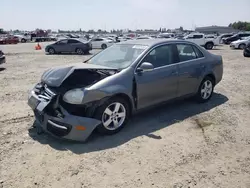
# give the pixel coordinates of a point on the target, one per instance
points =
(200, 39)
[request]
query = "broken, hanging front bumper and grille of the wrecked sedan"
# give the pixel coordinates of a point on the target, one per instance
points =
(63, 125)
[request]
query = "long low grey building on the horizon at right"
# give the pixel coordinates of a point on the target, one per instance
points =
(216, 29)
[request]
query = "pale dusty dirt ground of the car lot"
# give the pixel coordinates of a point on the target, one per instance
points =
(181, 144)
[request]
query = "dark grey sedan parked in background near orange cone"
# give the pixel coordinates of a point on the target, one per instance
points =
(78, 46)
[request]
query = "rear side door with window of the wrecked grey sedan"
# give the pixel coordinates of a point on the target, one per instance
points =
(190, 68)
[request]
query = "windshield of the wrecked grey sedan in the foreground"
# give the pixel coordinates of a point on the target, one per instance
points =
(118, 56)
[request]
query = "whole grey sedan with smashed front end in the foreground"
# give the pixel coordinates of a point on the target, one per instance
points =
(103, 92)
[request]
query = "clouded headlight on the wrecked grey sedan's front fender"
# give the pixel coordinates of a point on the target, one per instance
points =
(74, 96)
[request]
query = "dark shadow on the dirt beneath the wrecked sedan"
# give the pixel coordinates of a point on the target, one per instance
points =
(144, 123)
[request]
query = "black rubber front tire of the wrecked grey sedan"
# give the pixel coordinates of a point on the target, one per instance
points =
(99, 114)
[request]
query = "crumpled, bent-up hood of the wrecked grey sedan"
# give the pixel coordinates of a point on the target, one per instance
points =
(54, 77)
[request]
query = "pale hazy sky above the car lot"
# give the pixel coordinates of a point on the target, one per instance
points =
(120, 14)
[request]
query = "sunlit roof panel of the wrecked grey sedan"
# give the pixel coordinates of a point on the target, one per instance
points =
(150, 42)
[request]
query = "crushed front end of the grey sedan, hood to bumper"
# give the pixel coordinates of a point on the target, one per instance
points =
(62, 119)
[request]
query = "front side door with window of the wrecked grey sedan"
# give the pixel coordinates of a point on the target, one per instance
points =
(160, 84)
